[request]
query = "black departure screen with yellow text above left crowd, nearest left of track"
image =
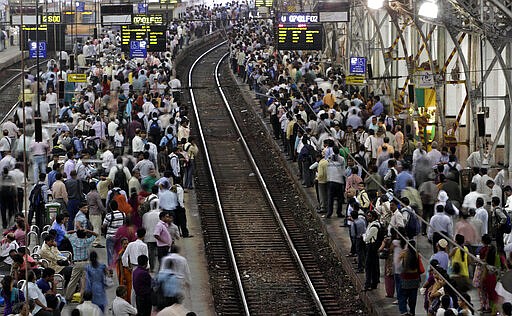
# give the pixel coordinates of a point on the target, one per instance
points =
(154, 35)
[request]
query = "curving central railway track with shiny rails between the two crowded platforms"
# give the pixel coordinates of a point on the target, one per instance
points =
(261, 258)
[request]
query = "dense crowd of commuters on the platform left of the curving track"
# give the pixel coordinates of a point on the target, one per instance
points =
(121, 162)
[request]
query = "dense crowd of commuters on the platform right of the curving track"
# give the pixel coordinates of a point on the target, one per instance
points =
(390, 189)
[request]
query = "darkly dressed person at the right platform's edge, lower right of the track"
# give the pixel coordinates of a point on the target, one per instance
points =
(372, 256)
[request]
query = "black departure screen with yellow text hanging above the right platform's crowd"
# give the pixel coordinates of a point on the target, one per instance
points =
(299, 36)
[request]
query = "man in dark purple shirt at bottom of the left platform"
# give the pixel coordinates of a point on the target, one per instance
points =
(142, 286)
